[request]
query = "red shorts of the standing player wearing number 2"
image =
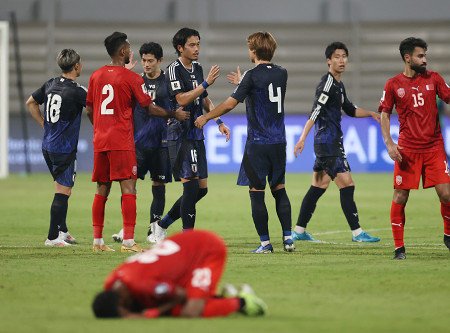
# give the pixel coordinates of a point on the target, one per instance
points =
(114, 165)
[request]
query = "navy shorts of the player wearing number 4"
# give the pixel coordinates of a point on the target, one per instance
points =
(261, 161)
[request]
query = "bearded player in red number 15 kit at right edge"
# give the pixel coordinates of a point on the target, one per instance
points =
(420, 148)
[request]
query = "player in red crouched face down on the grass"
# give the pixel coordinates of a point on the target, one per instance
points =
(177, 277)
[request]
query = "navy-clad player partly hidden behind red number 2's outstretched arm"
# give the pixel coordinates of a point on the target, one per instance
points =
(150, 134)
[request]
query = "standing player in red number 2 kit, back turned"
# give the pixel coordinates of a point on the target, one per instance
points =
(112, 94)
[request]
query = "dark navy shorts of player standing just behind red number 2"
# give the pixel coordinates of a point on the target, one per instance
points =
(156, 161)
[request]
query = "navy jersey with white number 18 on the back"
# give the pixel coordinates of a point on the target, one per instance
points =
(63, 102)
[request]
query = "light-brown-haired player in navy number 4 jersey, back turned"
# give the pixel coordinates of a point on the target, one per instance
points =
(263, 88)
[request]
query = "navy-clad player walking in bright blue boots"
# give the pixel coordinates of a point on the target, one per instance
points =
(331, 162)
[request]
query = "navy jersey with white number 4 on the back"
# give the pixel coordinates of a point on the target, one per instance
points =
(263, 89)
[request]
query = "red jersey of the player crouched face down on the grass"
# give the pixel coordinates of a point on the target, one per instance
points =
(192, 260)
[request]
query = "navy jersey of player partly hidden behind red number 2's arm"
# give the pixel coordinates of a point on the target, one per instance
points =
(150, 131)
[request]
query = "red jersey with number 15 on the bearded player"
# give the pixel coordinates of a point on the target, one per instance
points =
(415, 103)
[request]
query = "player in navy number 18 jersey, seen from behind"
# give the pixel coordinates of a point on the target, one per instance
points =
(63, 101)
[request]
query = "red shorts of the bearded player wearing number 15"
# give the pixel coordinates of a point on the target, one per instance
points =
(432, 166)
